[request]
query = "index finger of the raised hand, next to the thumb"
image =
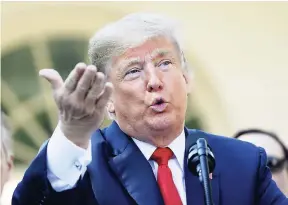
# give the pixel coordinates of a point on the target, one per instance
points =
(74, 76)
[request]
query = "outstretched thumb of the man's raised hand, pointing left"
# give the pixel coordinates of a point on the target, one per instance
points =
(53, 77)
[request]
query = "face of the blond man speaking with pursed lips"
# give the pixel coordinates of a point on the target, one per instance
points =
(150, 89)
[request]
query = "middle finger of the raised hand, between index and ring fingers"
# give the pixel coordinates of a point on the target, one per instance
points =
(85, 82)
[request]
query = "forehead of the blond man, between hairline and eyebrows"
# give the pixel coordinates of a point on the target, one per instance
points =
(155, 47)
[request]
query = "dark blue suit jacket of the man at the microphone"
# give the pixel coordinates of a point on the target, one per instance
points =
(120, 175)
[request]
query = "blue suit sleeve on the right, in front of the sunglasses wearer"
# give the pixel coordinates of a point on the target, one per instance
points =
(267, 191)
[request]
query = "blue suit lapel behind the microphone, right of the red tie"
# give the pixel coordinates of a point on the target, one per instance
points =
(194, 189)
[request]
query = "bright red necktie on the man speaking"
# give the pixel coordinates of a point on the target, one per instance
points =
(164, 177)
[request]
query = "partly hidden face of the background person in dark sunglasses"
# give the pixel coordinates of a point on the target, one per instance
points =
(273, 149)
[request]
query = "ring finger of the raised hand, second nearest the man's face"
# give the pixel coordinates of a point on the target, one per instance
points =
(96, 89)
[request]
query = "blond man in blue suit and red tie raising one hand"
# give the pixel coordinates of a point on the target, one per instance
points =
(140, 76)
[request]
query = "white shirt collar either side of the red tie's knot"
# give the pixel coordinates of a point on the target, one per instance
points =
(177, 146)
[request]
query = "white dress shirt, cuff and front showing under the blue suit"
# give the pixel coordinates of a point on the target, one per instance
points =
(66, 162)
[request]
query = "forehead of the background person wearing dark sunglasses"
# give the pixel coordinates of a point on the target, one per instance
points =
(271, 146)
